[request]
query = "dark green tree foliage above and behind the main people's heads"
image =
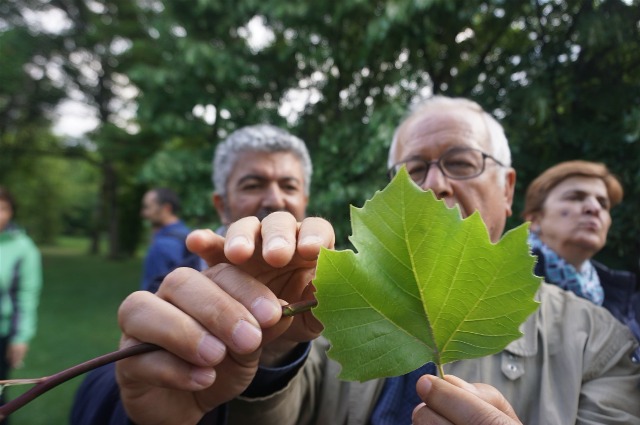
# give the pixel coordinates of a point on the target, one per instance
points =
(359, 64)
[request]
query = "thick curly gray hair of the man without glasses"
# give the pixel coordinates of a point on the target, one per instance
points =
(259, 138)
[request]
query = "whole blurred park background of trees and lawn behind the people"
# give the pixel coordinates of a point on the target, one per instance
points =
(102, 99)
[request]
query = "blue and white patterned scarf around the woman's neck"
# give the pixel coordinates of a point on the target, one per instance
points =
(584, 283)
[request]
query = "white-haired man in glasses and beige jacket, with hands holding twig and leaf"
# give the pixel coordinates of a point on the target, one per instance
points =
(232, 358)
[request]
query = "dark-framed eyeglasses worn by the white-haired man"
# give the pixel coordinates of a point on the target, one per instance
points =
(457, 164)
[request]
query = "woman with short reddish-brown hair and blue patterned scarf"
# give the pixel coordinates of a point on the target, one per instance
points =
(569, 208)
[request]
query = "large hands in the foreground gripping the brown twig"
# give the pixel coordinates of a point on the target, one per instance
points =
(219, 325)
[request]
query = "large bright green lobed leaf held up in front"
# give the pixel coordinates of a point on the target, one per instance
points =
(425, 286)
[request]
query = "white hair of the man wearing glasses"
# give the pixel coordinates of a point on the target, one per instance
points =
(497, 138)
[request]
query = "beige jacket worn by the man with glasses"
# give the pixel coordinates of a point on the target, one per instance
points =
(573, 365)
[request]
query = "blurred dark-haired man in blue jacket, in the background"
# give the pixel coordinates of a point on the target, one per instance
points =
(160, 207)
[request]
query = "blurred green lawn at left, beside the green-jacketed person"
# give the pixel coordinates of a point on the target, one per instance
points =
(76, 322)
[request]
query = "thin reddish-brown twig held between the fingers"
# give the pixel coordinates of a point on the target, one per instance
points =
(46, 383)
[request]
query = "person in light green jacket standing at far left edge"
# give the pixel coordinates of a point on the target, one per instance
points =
(20, 283)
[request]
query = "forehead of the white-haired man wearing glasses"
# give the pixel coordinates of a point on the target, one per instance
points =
(433, 133)
